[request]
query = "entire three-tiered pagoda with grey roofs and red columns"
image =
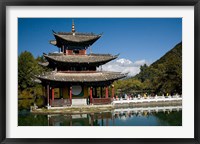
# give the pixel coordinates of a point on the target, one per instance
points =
(75, 72)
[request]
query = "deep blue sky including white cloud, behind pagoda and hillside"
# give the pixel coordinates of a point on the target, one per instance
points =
(137, 40)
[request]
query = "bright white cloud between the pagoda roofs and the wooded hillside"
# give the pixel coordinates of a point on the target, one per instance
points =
(124, 66)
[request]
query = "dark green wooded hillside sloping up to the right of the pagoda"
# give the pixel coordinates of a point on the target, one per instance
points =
(162, 76)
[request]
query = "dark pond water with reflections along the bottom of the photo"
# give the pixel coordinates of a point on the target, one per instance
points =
(118, 117)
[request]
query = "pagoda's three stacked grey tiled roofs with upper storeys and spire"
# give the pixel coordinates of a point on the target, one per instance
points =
(72, 64)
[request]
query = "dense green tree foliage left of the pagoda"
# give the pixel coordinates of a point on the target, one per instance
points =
(29, 91)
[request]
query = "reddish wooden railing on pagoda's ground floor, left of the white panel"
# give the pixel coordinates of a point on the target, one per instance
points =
(60, 102)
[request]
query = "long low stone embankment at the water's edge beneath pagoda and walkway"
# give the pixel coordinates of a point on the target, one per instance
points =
(102, 108)
